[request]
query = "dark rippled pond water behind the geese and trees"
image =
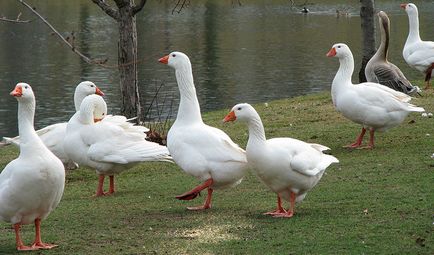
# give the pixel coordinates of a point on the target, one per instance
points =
(256, 52)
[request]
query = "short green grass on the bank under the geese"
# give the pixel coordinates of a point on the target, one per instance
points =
(372, 202)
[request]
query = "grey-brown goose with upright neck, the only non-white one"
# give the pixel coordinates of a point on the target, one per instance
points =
(380, 70)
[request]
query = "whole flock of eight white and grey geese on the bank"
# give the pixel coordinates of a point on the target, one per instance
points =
(32, 185)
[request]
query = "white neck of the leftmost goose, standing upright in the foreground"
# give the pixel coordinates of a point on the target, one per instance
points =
(28, 137)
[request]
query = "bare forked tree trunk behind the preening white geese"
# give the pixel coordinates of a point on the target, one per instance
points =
(127, 59)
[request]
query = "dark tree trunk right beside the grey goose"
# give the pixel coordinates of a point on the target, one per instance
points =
(368, 34)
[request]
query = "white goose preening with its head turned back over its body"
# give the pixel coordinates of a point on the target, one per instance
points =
(107, 146)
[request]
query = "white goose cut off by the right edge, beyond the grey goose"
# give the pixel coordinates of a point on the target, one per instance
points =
(417, 53)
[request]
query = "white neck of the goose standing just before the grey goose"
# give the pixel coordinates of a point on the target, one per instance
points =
(343, 76)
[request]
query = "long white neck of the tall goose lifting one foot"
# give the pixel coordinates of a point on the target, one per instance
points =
(189, 109)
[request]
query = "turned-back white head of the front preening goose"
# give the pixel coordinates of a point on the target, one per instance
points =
(92, 109)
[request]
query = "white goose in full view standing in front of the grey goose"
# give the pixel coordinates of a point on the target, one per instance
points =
(369, 104)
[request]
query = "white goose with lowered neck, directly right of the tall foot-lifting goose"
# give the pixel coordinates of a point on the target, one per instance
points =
(288, 166)
